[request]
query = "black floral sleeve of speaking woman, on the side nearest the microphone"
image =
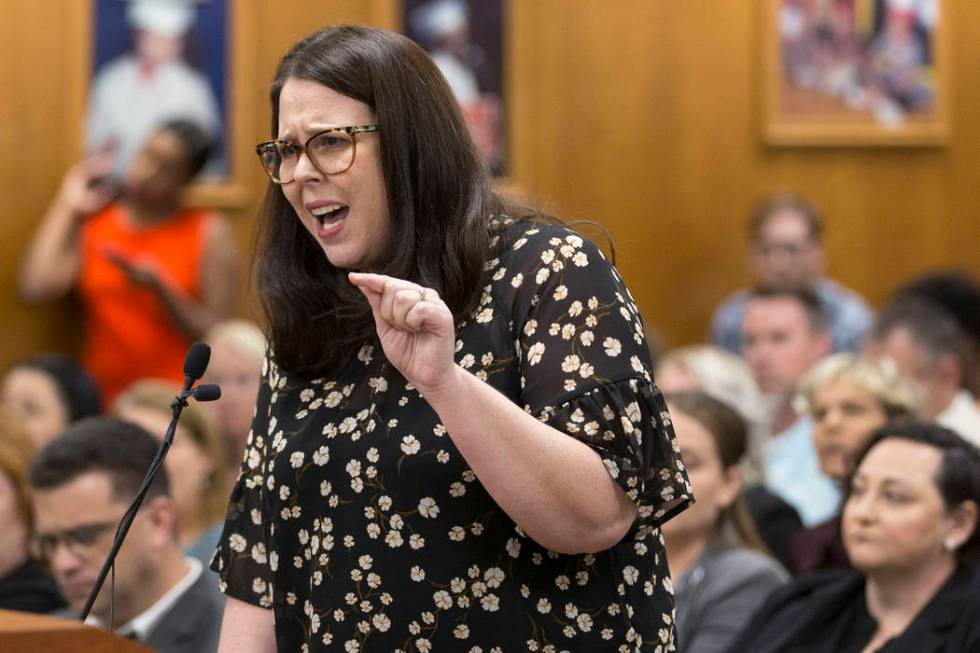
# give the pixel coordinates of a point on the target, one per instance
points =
(243, 560)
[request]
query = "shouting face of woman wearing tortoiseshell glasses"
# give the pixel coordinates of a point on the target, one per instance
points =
(347, 213)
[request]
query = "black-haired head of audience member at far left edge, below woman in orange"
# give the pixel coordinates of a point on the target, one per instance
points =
(48, 392)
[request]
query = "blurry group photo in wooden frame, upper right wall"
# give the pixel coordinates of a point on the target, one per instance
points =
(855, 72)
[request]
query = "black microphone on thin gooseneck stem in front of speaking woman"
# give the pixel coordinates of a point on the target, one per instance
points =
(195, 363)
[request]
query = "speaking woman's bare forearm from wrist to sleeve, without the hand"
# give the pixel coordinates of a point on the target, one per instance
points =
(552, 485)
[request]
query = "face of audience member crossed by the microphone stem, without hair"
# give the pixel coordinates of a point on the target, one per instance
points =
(188, 466)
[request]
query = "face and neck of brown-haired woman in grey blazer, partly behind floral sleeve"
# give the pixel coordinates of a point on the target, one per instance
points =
(714, 487)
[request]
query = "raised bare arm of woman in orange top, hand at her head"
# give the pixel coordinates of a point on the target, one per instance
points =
(50, 266)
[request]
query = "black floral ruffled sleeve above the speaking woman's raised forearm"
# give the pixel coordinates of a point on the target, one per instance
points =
(585, 366)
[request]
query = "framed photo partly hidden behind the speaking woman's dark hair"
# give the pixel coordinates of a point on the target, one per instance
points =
(465, 39)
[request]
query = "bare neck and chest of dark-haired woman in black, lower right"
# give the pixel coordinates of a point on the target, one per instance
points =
(896, 596)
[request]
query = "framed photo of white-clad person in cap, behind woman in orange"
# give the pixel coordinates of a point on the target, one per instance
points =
(154, 61)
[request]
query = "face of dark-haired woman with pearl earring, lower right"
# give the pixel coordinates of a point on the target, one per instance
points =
(895, 519)
